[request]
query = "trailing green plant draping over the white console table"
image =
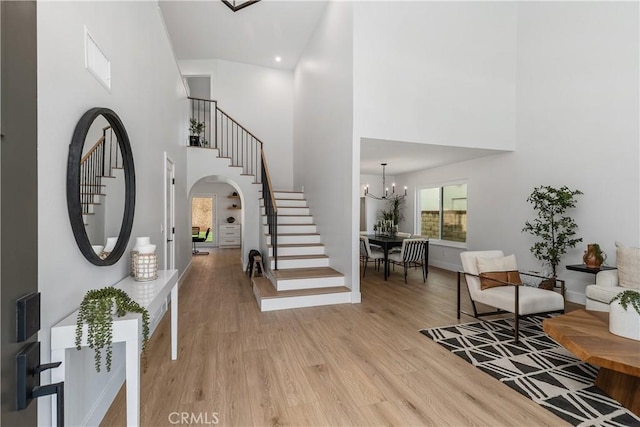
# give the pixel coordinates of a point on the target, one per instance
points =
(97, 311)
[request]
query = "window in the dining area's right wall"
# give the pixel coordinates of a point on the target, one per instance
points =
(442, 212)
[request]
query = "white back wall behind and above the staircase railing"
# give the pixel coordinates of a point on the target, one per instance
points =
(261, 100)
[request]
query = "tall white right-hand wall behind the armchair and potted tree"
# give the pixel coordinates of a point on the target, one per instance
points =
(578, 125)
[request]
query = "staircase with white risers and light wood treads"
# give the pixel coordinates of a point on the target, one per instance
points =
(304, 277)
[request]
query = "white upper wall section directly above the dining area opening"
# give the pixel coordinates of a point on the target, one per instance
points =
(435, 72)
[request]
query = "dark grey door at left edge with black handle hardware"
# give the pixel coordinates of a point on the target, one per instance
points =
(19, 191)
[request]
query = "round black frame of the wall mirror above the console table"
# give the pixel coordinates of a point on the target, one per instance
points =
(73, 186)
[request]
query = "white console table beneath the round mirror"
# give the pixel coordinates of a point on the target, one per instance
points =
(128, 329)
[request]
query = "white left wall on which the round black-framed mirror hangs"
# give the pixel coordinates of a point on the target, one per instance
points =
(148, 95)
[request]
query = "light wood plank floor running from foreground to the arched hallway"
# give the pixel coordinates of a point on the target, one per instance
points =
(353, 364)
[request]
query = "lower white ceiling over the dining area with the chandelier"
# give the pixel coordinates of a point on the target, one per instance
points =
(405, 157)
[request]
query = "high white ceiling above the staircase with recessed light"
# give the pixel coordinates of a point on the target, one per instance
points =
(254, 35)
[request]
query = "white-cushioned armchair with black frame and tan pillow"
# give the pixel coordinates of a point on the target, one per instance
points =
(505, 296)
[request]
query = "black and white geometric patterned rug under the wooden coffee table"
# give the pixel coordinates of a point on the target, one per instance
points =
(537, 367)
